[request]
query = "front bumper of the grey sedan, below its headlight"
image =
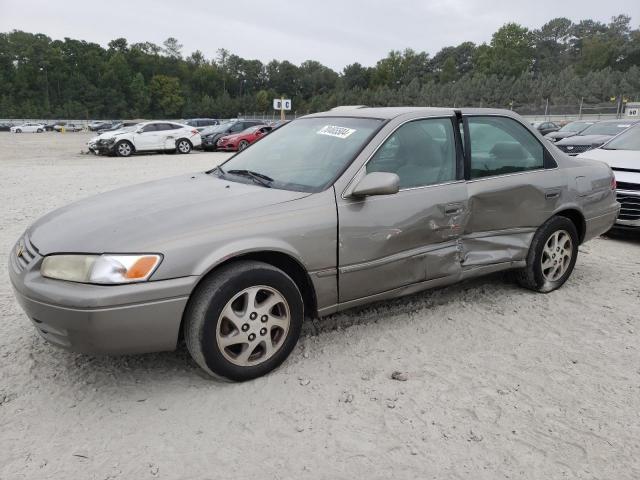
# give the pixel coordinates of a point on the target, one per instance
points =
(118, 319)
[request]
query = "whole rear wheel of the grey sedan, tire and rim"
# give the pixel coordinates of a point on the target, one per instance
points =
(552, 256)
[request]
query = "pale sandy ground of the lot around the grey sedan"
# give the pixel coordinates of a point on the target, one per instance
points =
(500, 382)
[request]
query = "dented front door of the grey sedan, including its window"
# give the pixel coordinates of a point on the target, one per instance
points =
(392, 241)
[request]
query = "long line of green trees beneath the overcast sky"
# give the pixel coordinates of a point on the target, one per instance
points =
(562, 61)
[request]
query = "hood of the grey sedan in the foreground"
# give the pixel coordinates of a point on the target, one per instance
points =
(146, 217)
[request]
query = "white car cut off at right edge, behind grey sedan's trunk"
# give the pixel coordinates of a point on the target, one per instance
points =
(622, 154)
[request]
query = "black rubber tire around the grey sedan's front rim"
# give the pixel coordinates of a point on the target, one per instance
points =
(203, 314)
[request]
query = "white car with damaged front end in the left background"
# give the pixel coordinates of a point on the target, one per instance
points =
(161, 136)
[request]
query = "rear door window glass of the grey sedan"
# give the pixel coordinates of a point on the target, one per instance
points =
(501, 145)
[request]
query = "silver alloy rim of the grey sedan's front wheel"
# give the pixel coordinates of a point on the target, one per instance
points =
(253, 325)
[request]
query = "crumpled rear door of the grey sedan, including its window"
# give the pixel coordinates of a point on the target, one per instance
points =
(512, 185)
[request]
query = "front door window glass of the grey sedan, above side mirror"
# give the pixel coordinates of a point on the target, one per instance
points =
(421, 153)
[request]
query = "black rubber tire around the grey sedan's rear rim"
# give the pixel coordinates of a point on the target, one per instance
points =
(532, 276)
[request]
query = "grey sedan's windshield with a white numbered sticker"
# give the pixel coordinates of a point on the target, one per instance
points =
(306, 155)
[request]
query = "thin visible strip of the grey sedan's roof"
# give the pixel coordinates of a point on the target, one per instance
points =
(388, 113)
